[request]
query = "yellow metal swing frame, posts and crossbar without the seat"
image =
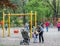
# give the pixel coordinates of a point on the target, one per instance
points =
(18, 15)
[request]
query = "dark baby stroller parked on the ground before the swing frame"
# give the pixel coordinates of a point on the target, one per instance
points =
(26, 39)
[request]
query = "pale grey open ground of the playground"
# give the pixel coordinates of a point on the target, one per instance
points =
(52, 38)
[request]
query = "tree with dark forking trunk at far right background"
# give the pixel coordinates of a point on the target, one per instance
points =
(55, 7)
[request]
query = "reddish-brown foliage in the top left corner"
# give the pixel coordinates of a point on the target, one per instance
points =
(6, 3)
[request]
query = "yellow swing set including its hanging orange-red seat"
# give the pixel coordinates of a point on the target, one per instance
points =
(15, 29)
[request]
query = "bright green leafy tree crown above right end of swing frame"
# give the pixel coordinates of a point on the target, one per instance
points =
(42, 8)
